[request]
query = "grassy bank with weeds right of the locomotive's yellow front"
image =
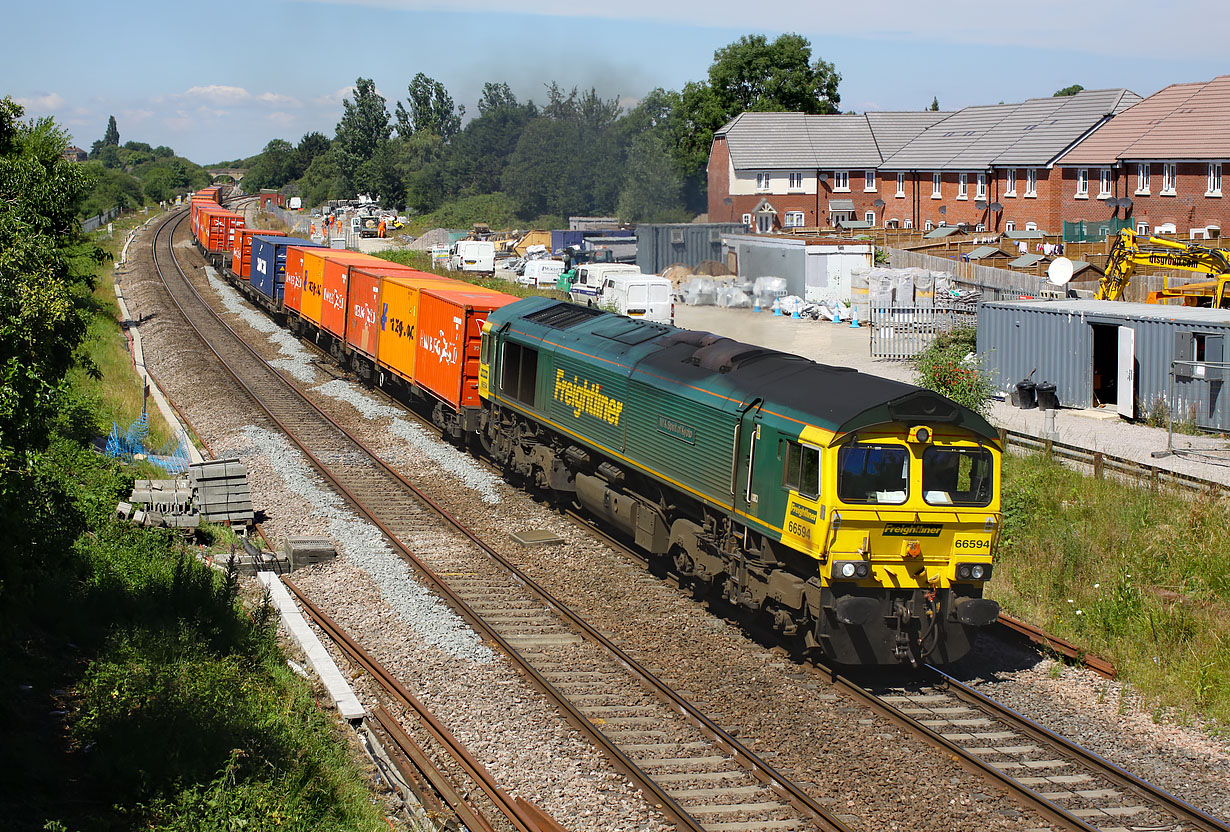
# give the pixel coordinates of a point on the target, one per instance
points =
(1140, 578)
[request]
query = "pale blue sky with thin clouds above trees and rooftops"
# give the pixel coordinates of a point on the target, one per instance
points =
(218, 81)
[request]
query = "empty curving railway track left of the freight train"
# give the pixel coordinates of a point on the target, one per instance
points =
(694, 772)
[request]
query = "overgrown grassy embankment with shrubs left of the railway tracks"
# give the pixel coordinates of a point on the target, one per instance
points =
(140, 691)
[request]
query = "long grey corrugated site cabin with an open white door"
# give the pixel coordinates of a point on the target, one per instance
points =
(1078, 345)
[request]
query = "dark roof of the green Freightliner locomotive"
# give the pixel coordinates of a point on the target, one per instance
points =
(836, 398)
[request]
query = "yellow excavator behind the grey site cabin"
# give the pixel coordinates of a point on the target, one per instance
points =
(1132, 250)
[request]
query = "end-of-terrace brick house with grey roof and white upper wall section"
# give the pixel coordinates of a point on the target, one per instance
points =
(794, 170)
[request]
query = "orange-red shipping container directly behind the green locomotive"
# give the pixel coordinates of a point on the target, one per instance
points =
(448, 343)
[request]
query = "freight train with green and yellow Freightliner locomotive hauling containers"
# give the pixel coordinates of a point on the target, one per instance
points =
(852, 514)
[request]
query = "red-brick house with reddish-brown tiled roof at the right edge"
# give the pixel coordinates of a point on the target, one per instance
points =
(1158, 166)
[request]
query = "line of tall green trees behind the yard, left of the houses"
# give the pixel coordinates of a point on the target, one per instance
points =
(571, 153)
